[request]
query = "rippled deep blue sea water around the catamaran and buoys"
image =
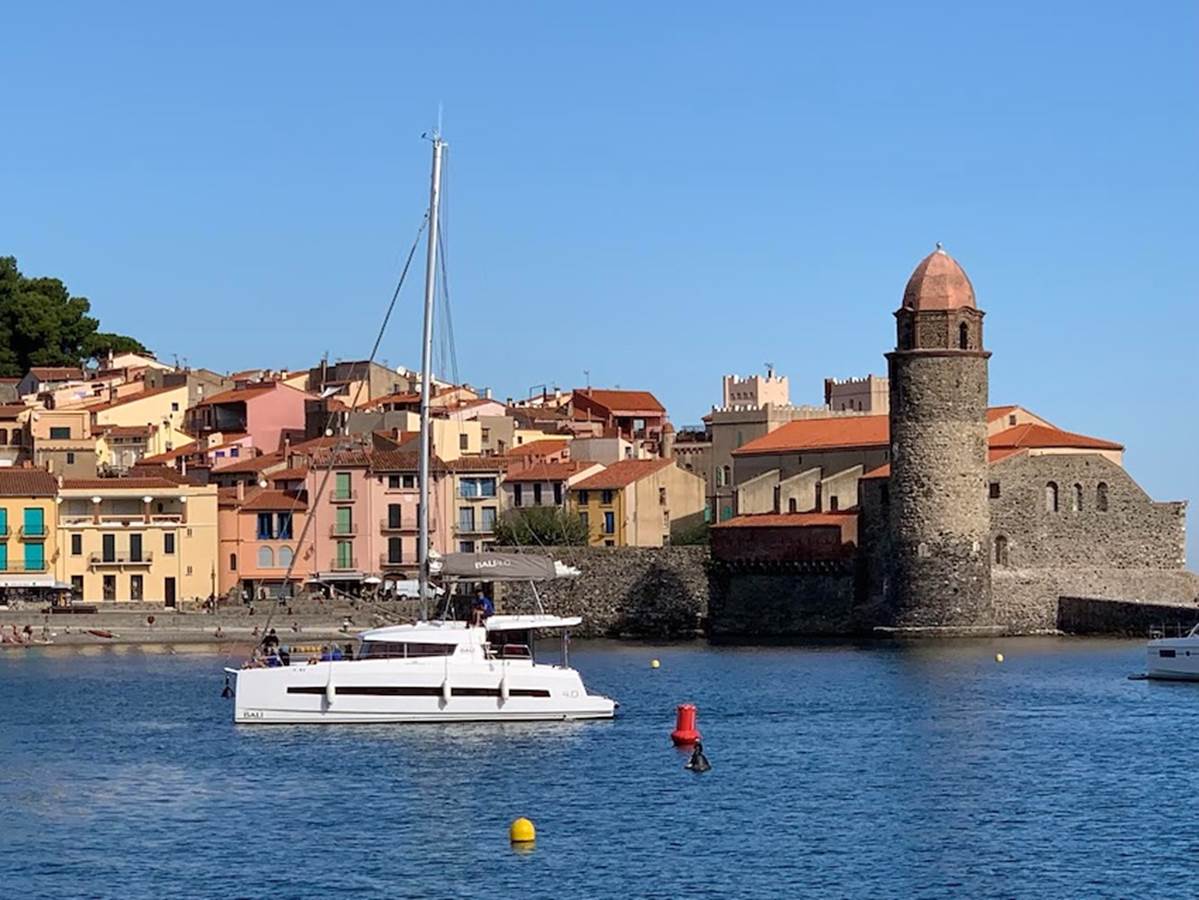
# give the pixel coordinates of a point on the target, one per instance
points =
(897, 770)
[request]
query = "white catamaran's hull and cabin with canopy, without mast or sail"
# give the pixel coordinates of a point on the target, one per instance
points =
(426, 673)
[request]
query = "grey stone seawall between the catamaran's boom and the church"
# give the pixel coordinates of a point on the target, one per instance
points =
(625, 591)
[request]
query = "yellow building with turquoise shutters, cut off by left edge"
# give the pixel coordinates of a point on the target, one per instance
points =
(27, 534)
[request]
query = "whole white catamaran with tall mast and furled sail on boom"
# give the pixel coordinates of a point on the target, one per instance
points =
(438, 671)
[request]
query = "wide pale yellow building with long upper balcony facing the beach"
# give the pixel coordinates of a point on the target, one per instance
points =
(138, 540)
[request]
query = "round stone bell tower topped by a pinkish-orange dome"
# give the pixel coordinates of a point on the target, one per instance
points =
(938, 509)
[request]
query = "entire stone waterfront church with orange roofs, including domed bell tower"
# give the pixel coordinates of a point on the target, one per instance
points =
(948, 515)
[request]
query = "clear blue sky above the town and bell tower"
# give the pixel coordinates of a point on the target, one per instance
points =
(656, 194)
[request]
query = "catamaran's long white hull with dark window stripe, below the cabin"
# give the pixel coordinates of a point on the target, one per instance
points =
(375, 693)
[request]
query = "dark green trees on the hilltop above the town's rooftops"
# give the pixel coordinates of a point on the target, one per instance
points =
(41, 324)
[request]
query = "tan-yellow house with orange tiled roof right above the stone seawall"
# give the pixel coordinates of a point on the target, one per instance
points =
(638, 503)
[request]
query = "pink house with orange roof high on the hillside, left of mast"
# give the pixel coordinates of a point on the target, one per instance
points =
(264, 412)
